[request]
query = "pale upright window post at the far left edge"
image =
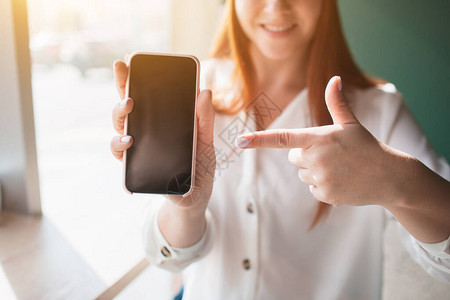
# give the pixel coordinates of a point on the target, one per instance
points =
(18, 166)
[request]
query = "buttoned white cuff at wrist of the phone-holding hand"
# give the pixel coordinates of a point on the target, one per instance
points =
(168, 252)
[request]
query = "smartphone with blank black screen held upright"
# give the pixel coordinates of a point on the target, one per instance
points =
(164, 88)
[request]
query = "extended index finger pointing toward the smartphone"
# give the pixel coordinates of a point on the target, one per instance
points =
(277, 138)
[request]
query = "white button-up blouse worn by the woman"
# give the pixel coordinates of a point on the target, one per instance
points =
(257, 244)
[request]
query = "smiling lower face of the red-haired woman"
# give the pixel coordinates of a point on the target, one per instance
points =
(279, 28)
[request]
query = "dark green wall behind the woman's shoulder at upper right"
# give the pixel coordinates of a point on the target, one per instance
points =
(407, 42)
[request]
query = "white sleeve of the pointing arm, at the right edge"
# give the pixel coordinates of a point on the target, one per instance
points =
(407, 136)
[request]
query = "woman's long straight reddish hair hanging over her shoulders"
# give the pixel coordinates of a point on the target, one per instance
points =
(329, 55)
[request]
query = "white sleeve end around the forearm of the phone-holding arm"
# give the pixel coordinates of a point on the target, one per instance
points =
(160, 253)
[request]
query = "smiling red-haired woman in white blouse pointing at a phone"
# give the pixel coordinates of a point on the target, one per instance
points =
(306, 220)
